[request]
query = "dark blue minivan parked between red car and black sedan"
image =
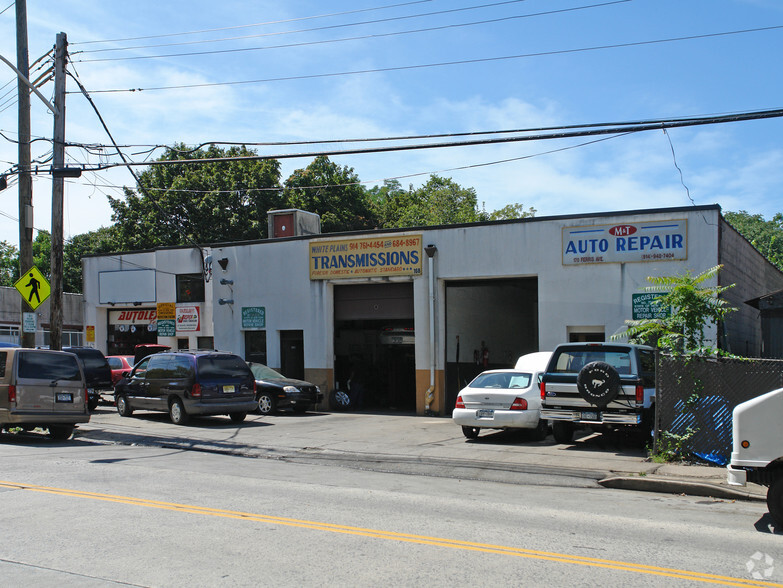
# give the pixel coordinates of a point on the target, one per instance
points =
(188, 383)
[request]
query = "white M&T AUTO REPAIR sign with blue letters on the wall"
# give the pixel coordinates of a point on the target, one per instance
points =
(625, 243)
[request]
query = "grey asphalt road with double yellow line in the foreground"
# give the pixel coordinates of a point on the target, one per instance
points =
(98, 513)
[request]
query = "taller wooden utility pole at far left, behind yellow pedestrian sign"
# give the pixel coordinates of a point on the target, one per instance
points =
(25, 186)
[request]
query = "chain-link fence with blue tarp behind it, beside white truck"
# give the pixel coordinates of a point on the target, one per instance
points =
(696, 396)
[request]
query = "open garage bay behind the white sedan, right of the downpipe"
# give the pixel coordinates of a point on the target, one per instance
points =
(489, 324)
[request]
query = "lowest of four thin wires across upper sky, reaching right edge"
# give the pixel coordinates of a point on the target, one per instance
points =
(445, 63)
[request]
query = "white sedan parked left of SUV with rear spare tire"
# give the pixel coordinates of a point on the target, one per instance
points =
(504, 399)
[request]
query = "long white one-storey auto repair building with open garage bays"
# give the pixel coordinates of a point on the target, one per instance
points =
(404, 312)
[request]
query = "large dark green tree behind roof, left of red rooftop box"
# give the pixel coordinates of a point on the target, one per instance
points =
(209, 202)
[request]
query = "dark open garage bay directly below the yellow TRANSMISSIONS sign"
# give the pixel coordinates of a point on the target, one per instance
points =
(374, 345)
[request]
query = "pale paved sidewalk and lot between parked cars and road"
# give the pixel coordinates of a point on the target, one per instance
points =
(430, 445)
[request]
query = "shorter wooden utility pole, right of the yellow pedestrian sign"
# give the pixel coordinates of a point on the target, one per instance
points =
(58, 163)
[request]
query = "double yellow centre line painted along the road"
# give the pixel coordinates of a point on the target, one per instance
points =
(402, 537)
